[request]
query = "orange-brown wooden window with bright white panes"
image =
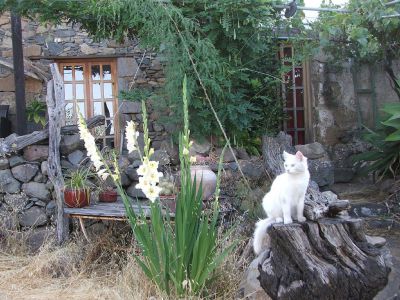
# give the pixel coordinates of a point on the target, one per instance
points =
(90, 87)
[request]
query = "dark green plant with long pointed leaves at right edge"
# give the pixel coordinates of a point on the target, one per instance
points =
(385, 155)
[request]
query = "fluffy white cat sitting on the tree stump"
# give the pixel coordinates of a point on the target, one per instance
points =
(285, 200)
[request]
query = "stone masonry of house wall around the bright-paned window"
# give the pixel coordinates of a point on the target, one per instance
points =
(43, 45)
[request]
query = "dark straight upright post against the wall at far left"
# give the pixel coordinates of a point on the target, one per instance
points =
(19, 76)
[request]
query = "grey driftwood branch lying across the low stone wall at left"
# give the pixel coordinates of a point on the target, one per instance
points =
(14, 143)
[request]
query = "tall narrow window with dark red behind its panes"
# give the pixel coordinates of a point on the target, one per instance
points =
(295, 94)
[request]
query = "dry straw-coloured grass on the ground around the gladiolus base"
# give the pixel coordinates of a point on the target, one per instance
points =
(101, 270)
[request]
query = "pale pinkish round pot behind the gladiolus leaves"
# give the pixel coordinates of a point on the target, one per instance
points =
(205, 176)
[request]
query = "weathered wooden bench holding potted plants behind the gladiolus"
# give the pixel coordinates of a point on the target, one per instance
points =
(114, 211)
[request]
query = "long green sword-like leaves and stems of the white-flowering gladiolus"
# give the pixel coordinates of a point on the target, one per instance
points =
(181, 257)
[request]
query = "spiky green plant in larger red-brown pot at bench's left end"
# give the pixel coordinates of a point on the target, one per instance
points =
(77, 190)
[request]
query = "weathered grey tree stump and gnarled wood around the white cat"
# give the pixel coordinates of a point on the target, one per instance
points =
(326, 257)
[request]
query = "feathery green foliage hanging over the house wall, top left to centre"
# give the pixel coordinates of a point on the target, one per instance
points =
(231, 43)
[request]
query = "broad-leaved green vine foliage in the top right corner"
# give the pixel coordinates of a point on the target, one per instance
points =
(362, 35)
